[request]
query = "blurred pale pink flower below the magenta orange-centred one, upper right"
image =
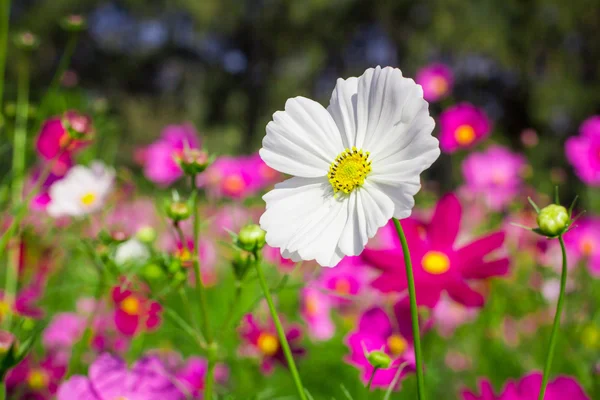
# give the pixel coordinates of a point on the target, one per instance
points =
(494, 174)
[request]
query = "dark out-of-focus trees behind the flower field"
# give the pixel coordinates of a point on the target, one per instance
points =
(227, 65)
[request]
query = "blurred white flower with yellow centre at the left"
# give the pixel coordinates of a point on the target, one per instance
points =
(82, 191)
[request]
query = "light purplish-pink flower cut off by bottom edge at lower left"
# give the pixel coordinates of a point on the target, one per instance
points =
(109, 379)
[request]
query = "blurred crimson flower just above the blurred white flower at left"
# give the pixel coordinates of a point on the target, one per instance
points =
(54, 138)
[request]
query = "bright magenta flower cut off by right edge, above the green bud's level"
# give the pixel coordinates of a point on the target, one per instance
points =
(583, 151)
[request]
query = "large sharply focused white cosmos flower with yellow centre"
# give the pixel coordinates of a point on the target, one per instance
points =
(355, 165)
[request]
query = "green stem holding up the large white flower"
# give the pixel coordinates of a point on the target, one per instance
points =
(414, 312)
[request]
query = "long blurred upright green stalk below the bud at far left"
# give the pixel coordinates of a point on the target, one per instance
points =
(18, 175)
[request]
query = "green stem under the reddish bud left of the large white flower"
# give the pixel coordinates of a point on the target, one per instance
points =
(201, 293)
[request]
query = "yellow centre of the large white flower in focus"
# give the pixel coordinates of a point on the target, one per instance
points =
(349, 170)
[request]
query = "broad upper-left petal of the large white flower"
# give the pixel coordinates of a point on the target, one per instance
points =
(303, 140)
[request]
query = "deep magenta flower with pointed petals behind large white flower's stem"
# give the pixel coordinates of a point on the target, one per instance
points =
(439, 265)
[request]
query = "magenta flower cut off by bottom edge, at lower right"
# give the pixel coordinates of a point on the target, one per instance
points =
(528, 388)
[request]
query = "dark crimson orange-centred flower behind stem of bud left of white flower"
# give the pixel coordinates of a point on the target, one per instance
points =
(261, 341)
